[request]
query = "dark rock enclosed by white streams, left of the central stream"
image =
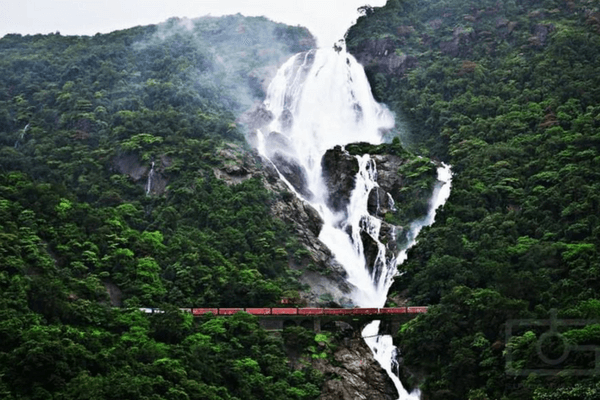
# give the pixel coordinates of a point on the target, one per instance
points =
(339, 172)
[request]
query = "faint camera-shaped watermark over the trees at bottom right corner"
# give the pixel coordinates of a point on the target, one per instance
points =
(554, 352)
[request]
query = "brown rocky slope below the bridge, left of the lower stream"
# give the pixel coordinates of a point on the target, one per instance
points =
(354, 373)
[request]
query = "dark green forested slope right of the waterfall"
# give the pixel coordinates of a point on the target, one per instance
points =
(508, 93)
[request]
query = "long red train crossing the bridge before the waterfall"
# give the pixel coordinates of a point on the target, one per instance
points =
(296, 311)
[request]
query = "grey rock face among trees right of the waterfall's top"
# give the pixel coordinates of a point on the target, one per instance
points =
(379, 55)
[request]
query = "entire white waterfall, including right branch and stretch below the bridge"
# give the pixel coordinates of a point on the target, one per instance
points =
(320, 99)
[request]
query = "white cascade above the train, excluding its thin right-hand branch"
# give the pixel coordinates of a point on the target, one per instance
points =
(320, 99)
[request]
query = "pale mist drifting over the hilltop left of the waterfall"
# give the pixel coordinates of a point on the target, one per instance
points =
(233, 56)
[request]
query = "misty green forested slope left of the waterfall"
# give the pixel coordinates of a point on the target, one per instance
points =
(84, 122)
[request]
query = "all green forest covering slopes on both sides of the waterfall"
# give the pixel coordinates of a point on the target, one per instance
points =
(109, 202)
